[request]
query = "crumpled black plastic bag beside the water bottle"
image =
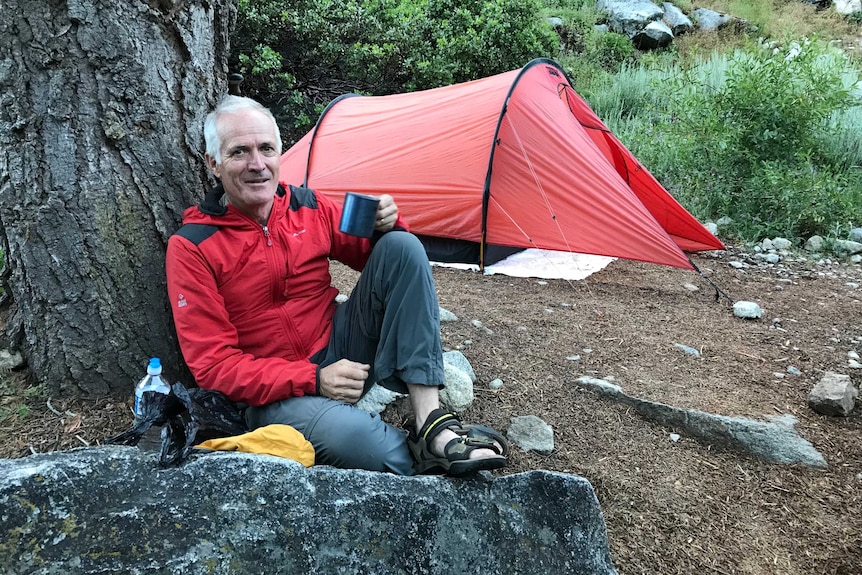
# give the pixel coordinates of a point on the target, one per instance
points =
(187, 417)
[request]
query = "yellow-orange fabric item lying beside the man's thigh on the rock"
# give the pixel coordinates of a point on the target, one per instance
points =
(275, 439)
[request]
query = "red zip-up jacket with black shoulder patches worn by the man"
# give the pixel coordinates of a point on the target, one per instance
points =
(252, 303)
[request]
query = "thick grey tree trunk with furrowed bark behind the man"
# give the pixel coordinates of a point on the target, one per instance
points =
(101, 120)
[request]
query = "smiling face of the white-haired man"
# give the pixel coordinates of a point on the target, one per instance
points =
(249, 161)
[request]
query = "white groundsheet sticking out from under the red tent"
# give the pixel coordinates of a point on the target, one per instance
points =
(543, 264)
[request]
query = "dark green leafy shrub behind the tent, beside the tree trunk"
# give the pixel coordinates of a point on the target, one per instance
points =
(297, 56)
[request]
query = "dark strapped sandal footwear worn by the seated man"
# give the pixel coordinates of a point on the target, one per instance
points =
(456, 459)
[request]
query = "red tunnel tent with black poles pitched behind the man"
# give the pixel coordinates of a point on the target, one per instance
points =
(517, 159)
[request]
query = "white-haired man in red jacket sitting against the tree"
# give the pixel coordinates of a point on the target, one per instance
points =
(256, 319)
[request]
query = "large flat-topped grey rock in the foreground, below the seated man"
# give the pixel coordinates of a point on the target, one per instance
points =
(112, 510)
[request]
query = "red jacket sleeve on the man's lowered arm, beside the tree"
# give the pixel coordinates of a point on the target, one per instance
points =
(210, 343)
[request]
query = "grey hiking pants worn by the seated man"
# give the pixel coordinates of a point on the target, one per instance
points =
(391, 322)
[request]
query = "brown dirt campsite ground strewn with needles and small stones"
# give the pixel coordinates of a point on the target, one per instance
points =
(671, 507)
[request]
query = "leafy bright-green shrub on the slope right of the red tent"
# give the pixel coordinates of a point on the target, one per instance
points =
(745, 139)
